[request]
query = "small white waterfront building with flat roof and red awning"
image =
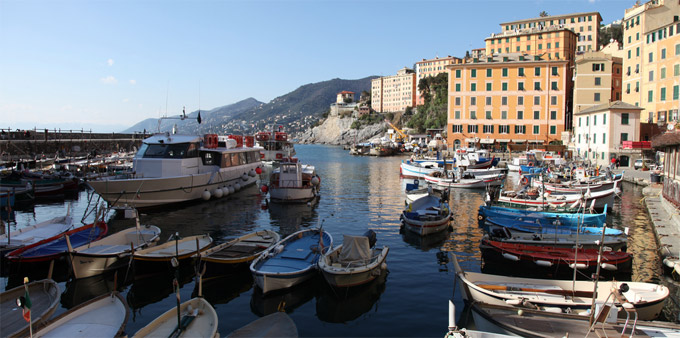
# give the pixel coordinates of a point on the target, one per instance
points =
(610, 129)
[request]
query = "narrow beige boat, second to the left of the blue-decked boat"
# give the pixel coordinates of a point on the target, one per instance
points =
(159, 257)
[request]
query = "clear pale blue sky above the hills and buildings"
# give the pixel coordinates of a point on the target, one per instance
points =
(106, 65)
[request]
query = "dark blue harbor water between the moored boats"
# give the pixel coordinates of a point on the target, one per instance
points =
(357, 194)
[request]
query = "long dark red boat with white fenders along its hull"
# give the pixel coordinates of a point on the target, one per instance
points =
(547, 256)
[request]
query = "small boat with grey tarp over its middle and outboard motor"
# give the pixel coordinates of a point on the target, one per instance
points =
(355, 262)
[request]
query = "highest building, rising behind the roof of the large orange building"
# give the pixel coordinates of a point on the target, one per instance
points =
(585, 25)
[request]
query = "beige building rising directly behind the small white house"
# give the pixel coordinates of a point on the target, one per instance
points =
(597, 80)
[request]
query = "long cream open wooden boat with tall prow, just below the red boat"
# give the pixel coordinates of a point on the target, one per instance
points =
(558, 295)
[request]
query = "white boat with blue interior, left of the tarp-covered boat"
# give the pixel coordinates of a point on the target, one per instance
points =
(290, 261)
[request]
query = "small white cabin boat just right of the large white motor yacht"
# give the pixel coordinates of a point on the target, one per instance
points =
(293, 182)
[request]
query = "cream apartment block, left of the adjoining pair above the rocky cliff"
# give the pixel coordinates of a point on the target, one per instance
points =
(394, 93)
